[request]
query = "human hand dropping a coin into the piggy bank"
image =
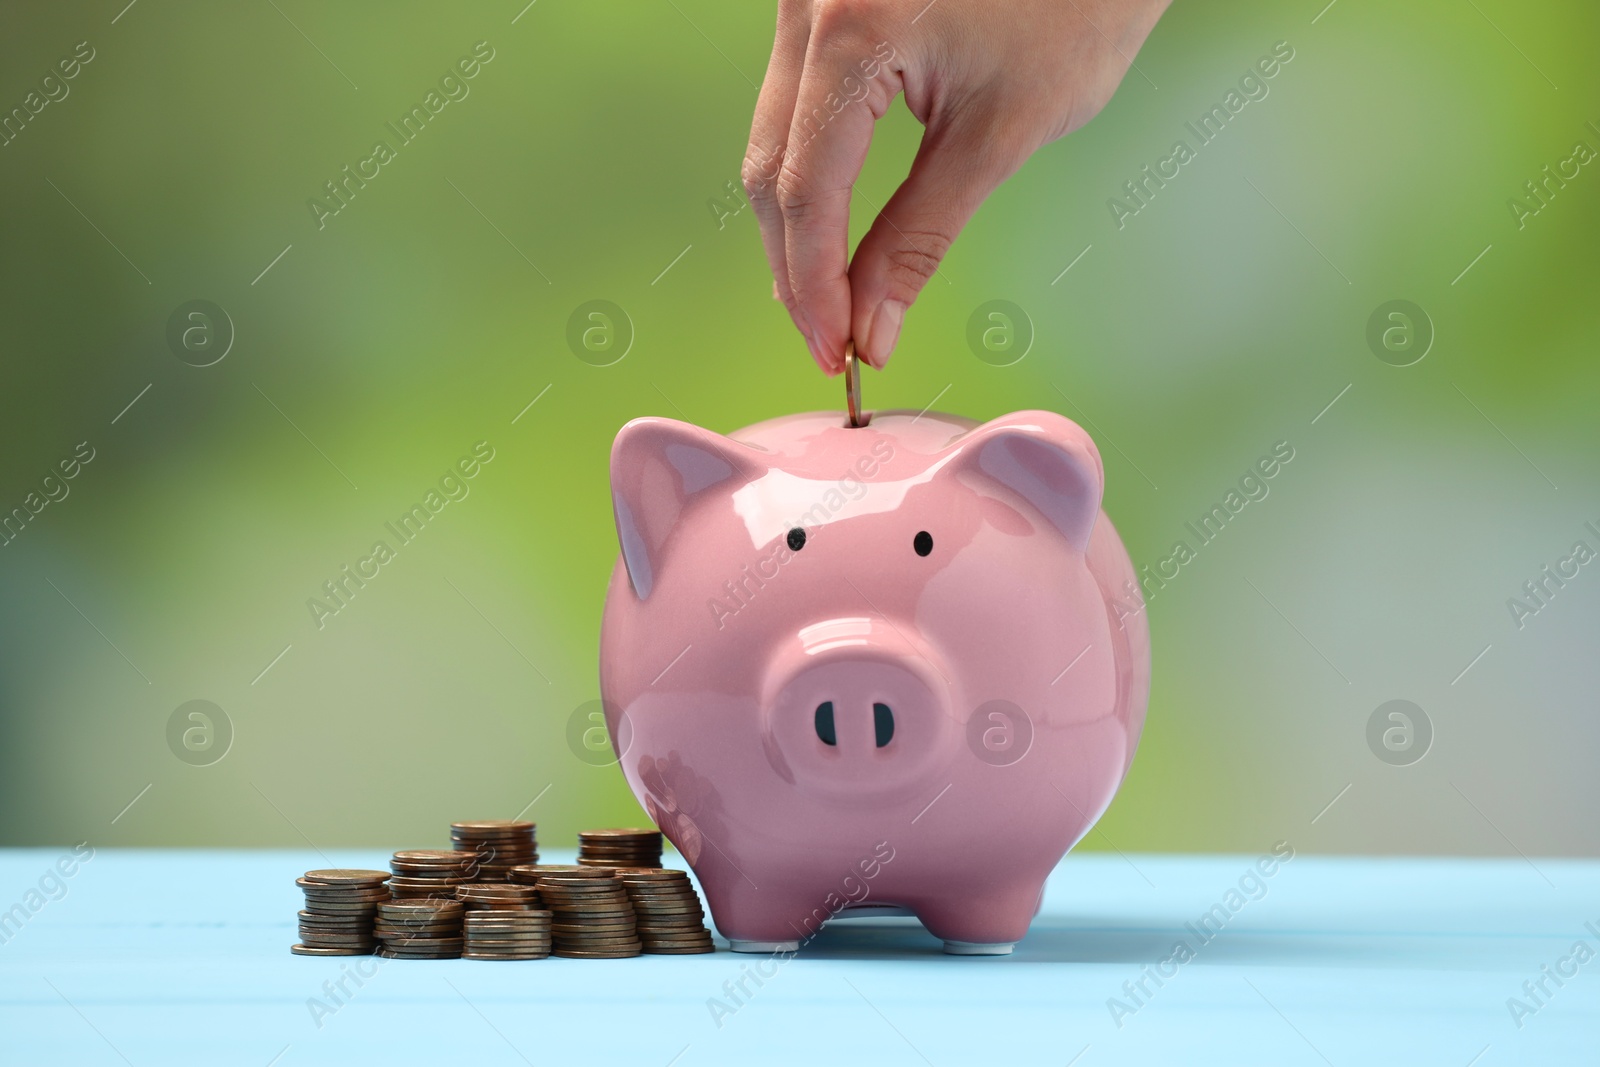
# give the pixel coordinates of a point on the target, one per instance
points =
(991, 82)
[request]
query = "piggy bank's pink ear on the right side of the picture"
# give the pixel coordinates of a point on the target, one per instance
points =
(1047, 460)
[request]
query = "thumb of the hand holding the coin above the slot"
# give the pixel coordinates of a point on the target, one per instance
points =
(953, 175)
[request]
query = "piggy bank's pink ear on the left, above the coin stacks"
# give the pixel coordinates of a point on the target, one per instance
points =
(658, 470)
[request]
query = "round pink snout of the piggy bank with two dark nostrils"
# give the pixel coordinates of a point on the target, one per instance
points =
(860, 714)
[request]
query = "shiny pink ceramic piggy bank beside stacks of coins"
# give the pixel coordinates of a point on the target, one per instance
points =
(900, 666)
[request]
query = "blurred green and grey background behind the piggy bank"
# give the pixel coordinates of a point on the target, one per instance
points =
(433, 310)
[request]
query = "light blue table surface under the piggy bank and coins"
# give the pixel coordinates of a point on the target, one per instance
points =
(182, 957)
